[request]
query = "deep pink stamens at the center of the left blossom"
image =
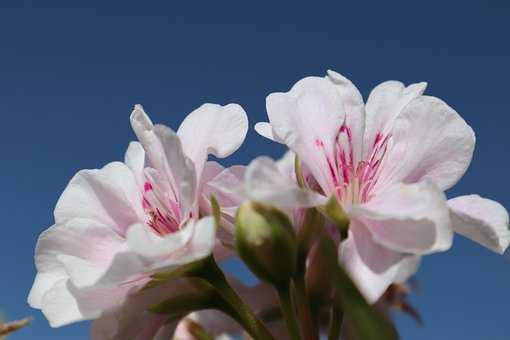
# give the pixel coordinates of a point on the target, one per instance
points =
(163, 212)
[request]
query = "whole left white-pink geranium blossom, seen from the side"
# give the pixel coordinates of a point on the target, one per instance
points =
(116, 226)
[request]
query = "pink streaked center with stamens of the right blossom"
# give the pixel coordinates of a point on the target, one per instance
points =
(354, 182)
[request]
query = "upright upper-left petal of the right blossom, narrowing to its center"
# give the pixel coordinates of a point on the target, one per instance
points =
(307, 119)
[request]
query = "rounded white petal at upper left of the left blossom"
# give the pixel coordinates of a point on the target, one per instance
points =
(109, 196)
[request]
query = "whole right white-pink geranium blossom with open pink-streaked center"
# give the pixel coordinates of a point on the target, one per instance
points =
(387, 162)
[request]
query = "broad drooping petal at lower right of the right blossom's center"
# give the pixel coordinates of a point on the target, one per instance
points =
(408, 218)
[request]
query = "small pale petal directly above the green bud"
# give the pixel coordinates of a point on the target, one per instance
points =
(265, 183)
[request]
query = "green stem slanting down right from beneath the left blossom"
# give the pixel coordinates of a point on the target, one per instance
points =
(244, 315)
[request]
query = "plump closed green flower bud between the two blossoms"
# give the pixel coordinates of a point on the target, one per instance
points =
(266, 242)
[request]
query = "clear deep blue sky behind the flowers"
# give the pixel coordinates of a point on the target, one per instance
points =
(70, 72)
